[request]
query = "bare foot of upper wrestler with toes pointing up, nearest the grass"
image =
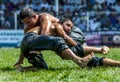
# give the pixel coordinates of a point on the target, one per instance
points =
(85, 60)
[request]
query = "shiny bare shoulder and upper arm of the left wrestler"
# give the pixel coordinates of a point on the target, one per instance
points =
(46, 21)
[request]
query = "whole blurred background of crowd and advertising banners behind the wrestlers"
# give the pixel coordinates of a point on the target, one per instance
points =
(98, 19)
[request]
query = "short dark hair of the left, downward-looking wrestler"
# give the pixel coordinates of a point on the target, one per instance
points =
(26, 12)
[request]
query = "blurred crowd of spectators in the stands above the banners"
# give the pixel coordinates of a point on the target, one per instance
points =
(101, 14)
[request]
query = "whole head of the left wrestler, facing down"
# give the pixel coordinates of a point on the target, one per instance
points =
(28, 17)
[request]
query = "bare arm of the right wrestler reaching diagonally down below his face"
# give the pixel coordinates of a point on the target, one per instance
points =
(61, 33)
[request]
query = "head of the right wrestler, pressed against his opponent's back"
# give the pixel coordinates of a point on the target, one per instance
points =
(67, 24)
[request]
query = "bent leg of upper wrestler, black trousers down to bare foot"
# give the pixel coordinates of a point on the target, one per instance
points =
(58, 44)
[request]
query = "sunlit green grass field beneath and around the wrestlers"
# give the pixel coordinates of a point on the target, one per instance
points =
(59, 70)
